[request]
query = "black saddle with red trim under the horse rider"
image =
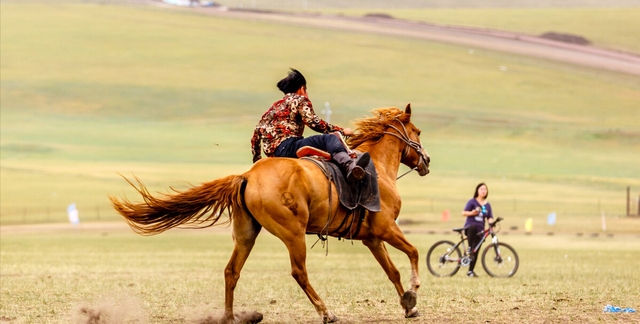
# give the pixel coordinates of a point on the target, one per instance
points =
(364, 193)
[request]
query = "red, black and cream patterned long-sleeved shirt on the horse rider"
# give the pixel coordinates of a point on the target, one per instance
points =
(285, 119)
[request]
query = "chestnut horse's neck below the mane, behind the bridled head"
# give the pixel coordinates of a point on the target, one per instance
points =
(386, 156)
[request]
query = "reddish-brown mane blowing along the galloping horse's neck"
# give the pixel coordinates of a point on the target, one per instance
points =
(372, 128)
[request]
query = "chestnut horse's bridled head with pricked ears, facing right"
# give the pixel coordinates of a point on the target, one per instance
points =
(414, 155)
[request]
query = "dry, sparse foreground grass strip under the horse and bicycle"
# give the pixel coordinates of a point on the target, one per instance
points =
(178, 276)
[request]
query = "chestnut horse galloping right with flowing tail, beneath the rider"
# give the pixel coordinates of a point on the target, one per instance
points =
(290, 198)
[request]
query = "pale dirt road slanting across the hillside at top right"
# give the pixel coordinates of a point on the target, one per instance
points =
(501, 41)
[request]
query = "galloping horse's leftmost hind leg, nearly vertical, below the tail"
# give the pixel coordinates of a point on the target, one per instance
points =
(245, 231)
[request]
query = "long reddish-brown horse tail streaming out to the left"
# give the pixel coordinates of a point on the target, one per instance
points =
(197, 207)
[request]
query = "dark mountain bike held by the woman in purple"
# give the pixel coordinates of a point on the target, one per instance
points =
(498, 259)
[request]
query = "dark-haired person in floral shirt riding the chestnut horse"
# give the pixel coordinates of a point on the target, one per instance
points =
(279, 132)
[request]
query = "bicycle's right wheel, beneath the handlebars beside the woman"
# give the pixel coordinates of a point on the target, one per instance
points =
(500, 260)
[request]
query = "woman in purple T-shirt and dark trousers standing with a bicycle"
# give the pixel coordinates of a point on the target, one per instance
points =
(476, 211)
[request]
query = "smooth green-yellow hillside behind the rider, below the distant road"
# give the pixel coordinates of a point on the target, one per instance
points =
(91, 90)
